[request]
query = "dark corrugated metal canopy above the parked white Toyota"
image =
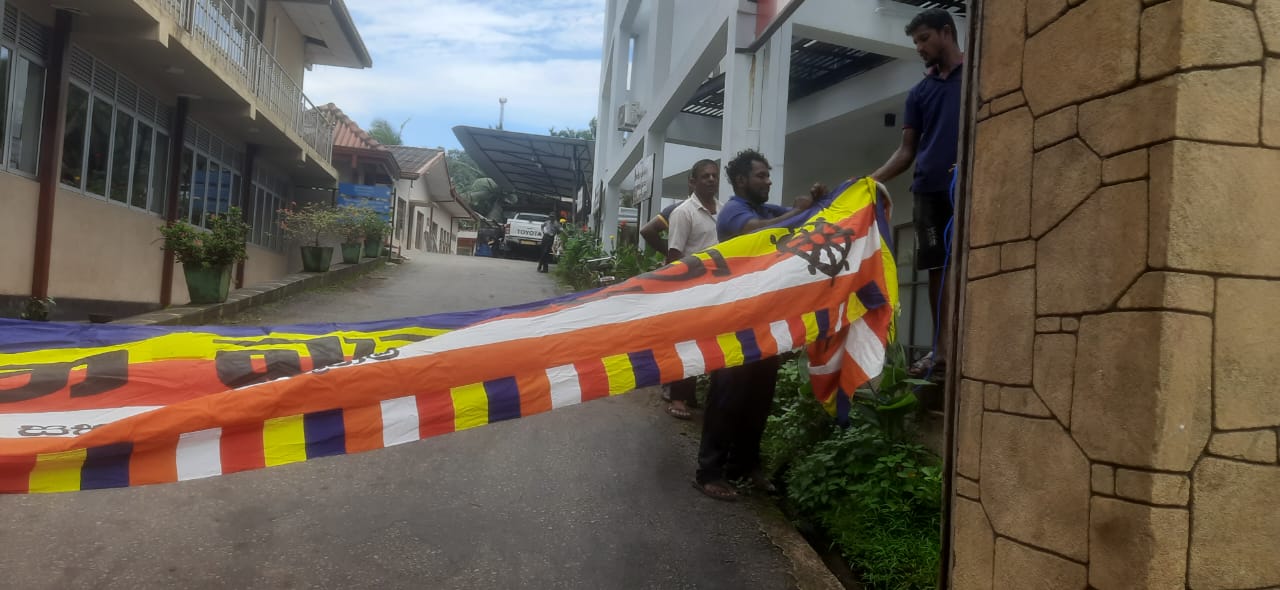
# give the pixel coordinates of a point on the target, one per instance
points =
(529, 164)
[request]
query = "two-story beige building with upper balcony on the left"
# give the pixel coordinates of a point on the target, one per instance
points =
(124, 115)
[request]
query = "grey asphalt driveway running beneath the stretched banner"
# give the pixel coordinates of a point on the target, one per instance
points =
(595, 496)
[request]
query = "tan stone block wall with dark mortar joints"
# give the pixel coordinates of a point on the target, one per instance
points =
(1119, 408)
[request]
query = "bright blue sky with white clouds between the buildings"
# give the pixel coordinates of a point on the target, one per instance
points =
(445, 63)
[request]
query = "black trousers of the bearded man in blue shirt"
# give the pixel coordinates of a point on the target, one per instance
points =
(738, 408)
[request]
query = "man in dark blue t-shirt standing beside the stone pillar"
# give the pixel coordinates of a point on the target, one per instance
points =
(931, 132)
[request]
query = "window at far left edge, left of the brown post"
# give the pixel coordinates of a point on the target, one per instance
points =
(24, 49)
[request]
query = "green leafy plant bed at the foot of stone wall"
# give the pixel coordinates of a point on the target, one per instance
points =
(867, 496)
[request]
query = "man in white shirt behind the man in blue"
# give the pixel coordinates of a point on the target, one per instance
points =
(692, 228)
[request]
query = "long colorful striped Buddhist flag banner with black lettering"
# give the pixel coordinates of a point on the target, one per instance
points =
(103, 406)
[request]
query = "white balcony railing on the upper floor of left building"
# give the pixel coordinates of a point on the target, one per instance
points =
(217, 26)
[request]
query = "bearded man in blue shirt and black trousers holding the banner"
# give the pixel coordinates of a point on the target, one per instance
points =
(740, 397)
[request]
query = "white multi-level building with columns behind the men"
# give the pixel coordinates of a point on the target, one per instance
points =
(817, 86)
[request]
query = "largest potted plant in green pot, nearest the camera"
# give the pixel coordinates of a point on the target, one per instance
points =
(208, 258)
